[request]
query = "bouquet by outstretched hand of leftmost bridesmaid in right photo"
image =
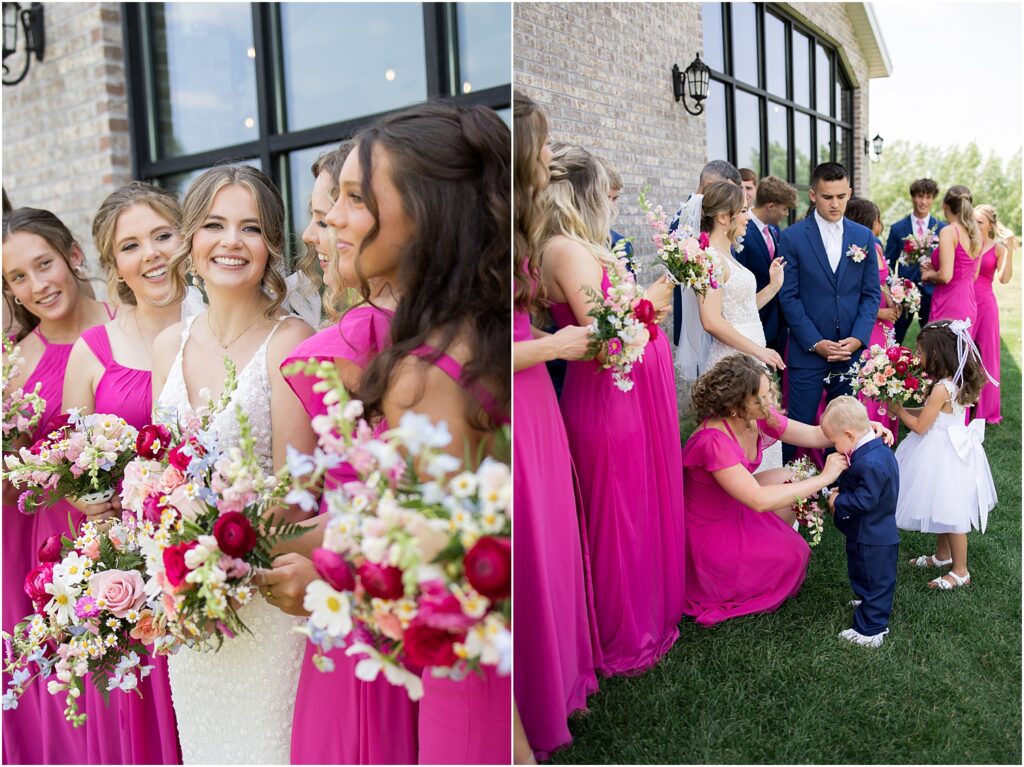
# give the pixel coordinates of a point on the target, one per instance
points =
(624, 323)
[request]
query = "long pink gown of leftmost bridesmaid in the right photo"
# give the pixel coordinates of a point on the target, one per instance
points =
(554, 632)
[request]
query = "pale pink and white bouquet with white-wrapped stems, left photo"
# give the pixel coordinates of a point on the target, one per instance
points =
(84, 457)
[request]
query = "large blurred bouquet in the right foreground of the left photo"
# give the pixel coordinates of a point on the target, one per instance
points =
(417, 560)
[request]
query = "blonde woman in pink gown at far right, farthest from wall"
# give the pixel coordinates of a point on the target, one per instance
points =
(997, 263)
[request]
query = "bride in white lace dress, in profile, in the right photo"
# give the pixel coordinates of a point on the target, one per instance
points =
(727, 320)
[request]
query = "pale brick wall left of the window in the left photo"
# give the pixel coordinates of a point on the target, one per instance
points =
(66, 142)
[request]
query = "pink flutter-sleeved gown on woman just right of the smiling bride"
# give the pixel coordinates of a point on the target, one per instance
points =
(339, 719)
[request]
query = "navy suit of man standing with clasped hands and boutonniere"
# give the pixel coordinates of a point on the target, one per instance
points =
(819, 304)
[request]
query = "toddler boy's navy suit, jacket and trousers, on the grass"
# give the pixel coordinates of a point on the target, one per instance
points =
(866, 514)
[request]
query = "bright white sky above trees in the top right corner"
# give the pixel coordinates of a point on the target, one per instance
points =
(957, 74)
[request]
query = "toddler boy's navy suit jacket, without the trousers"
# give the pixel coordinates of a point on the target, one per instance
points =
(866, 507)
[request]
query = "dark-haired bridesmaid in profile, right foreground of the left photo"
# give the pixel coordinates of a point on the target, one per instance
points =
(425, 196)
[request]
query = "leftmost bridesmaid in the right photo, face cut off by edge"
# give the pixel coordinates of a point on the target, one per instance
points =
(553, 633)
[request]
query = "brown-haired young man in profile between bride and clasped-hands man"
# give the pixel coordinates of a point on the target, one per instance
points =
(773, 202)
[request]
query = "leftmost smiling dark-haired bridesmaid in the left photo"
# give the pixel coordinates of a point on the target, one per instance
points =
(42, 267)
